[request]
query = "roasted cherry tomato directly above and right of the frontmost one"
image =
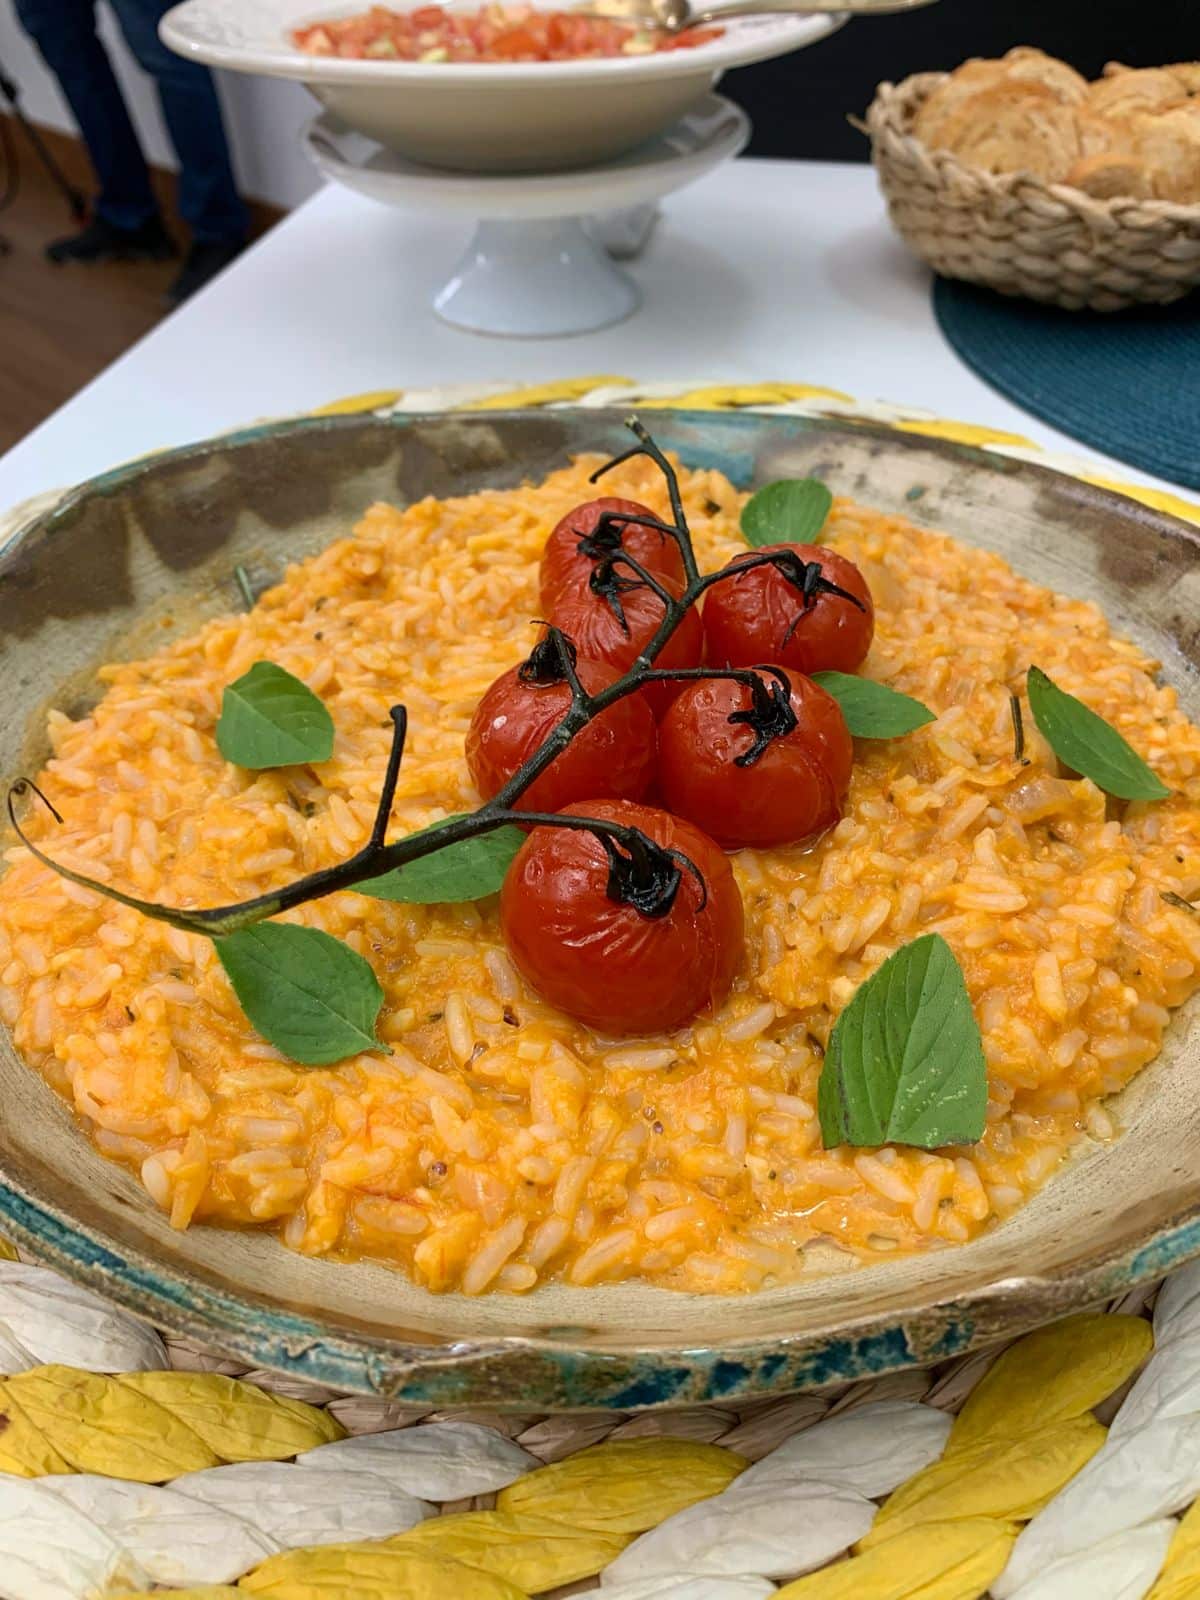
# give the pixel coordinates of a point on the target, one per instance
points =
(766, 766)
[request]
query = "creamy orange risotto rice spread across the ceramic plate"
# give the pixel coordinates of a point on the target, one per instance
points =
(502, 1143)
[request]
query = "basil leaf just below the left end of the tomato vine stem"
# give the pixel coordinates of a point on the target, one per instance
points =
(306, 993)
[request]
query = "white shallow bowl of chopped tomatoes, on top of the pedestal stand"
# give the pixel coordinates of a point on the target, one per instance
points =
(521, 118)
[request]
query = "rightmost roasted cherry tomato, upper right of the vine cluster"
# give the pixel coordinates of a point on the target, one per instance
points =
(812, 612)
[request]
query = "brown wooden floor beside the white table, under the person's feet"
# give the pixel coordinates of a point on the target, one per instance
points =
(62, 326)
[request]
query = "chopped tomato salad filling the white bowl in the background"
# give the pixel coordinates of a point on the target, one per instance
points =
(494, 33)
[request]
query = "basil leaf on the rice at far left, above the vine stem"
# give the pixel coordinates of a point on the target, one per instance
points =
(271, 719)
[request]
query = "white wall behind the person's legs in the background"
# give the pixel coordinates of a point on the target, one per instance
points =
(265, 116)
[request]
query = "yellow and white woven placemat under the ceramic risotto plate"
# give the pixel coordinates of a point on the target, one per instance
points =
(1054, 1470)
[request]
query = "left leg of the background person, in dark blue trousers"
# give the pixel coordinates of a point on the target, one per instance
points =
(65, 31)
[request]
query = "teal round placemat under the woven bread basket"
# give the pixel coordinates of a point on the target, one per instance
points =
(1127, 385)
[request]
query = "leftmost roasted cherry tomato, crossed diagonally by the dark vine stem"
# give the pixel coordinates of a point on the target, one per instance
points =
(612, 756)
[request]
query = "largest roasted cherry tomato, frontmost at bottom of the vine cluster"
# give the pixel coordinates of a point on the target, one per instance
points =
(623, 940)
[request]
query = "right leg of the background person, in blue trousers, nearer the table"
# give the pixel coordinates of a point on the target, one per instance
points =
(209, 199)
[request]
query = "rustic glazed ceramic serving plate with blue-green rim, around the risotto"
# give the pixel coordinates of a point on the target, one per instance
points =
(153, 548)
